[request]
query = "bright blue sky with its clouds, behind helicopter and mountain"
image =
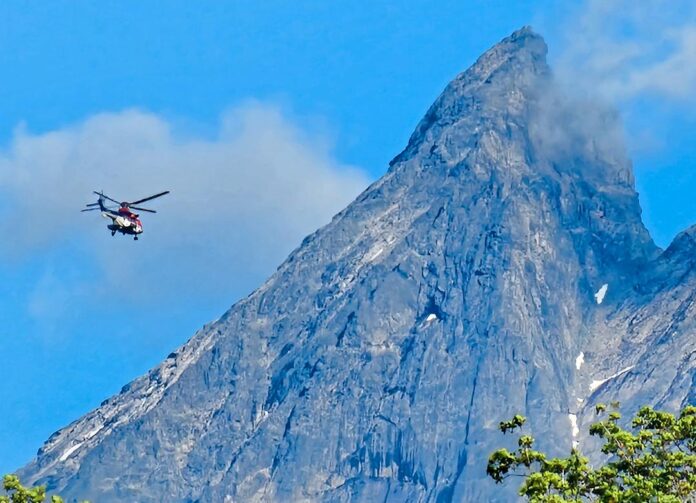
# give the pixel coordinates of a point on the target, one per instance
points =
(264, 119)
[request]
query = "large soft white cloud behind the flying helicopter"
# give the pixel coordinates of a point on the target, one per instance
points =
(239, 203)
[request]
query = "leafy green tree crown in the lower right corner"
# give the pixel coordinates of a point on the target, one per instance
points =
(654, 462)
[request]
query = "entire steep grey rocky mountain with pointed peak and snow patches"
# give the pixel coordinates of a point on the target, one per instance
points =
(499, 267)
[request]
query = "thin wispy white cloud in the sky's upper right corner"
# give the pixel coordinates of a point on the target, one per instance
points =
(622, 49)
